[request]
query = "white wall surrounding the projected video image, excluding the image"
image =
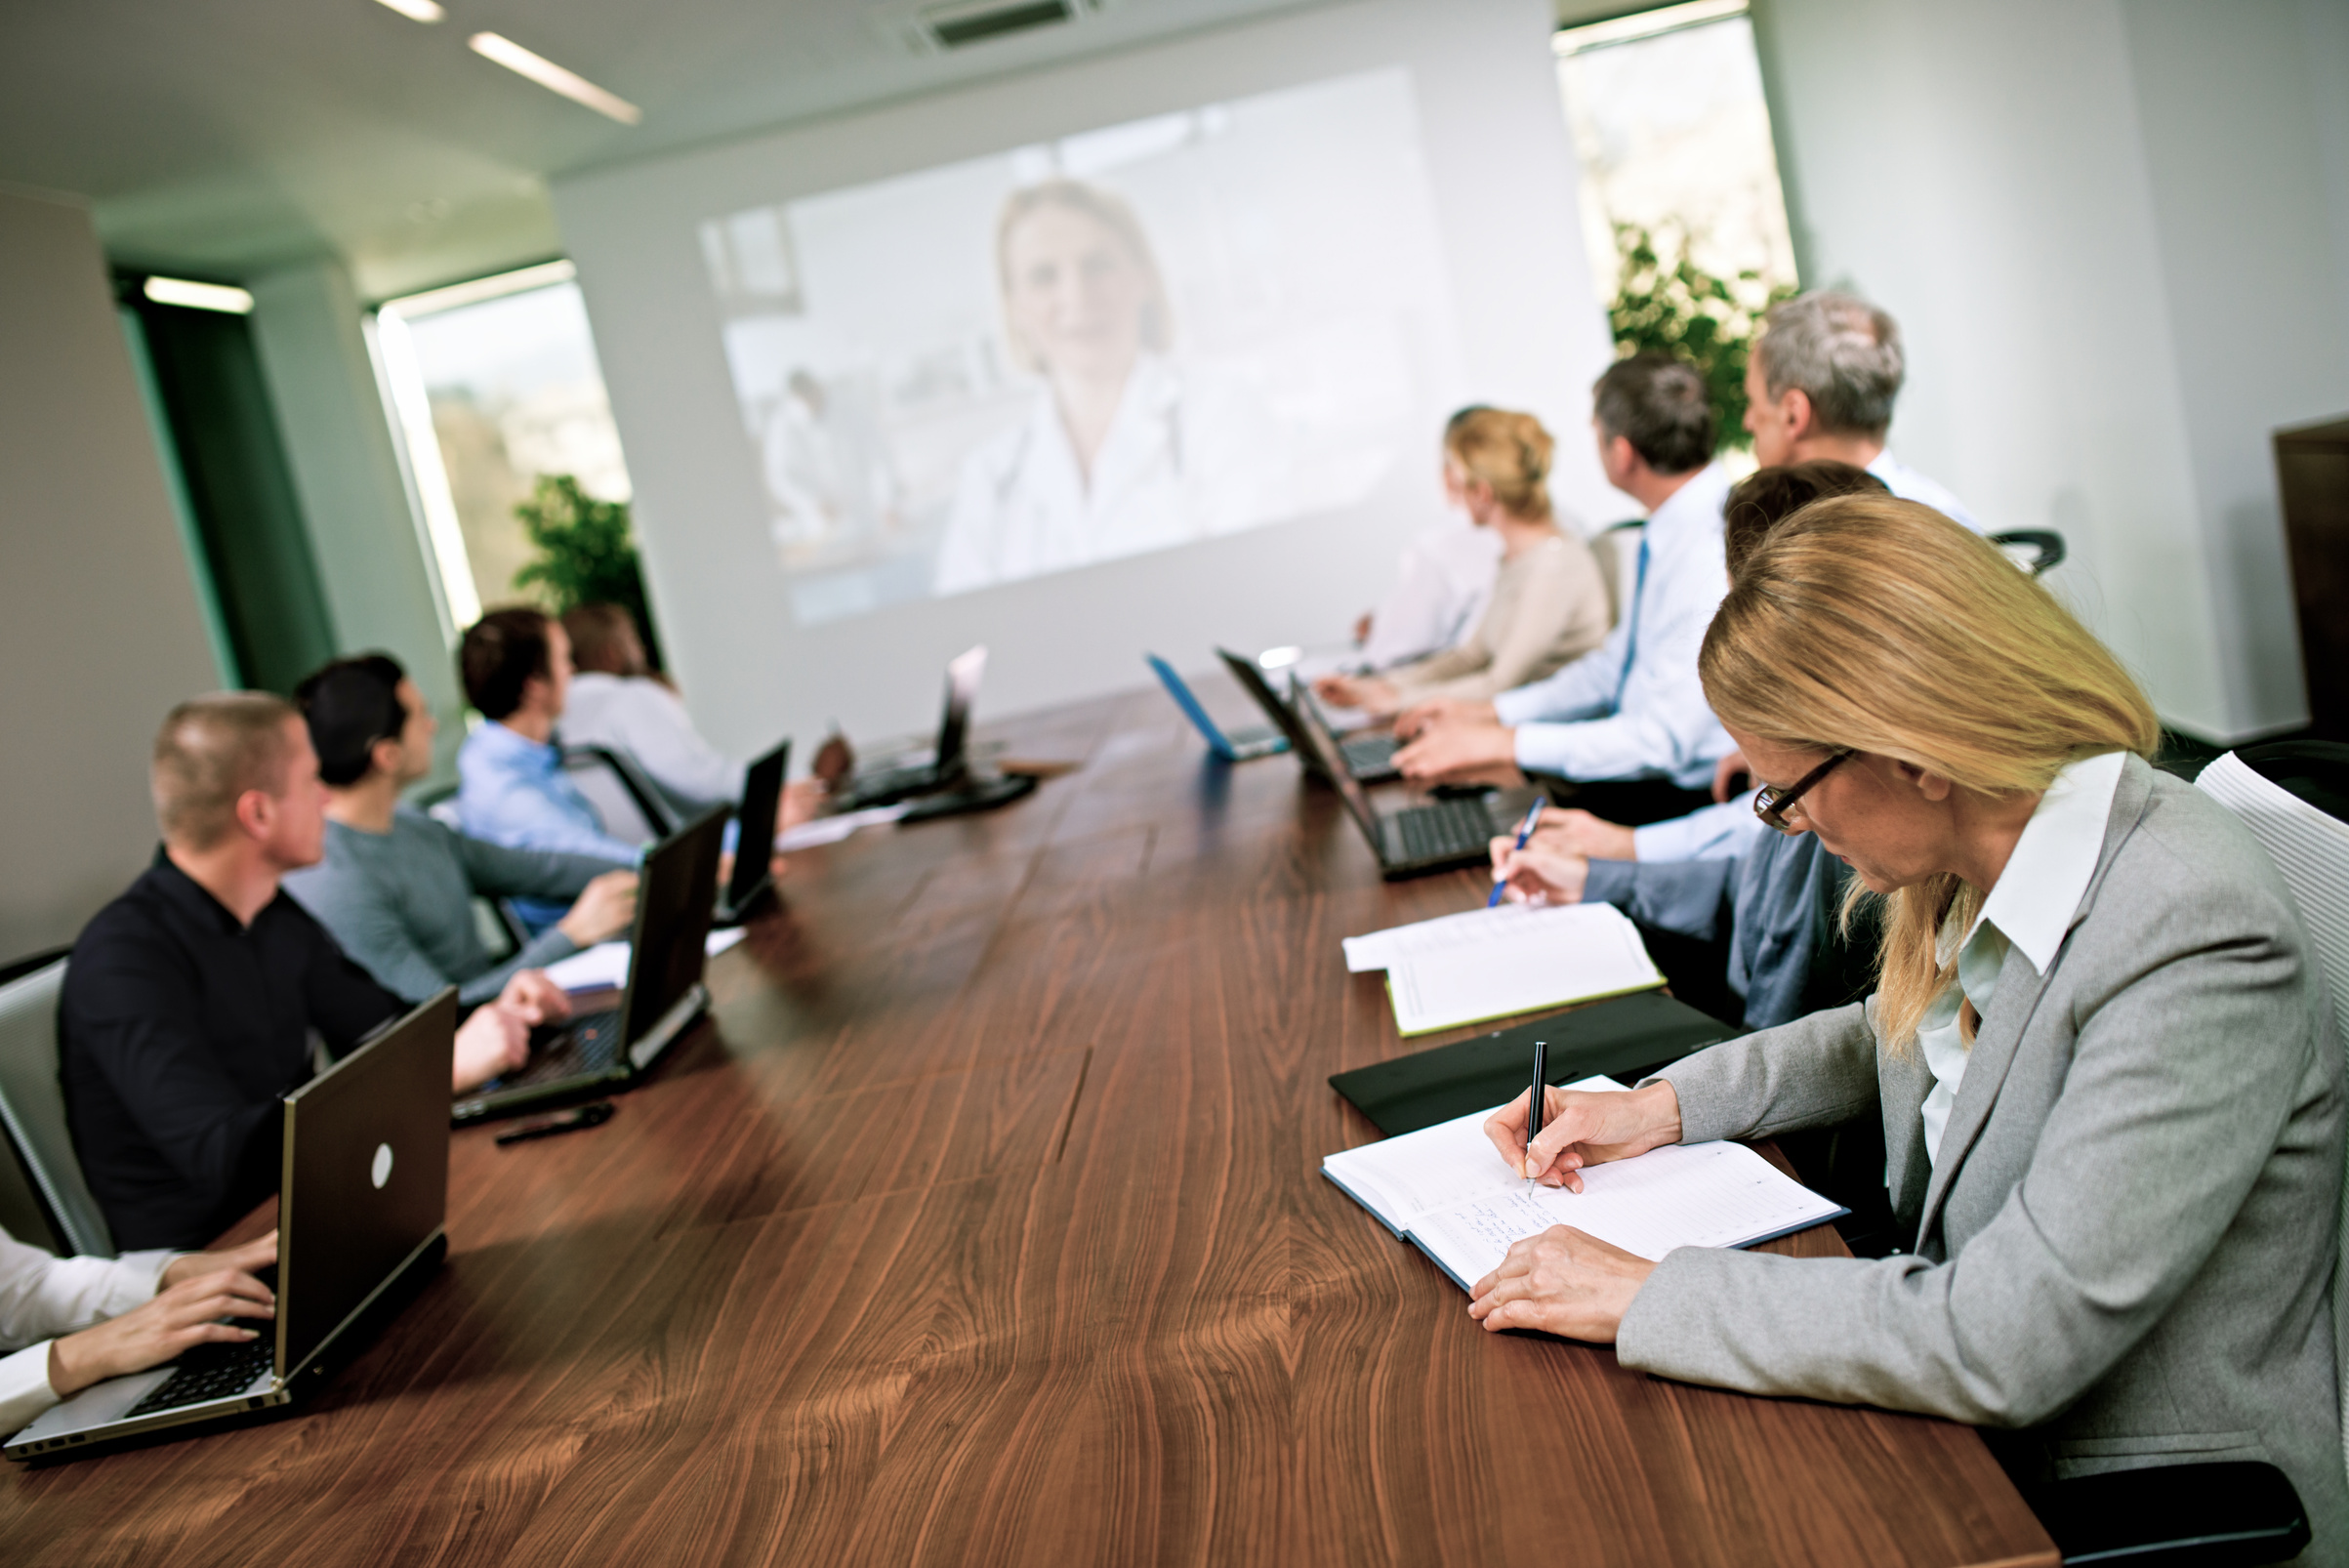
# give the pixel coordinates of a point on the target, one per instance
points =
(1528, 323)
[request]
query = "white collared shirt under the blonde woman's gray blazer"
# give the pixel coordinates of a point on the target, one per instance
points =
(2031, 909)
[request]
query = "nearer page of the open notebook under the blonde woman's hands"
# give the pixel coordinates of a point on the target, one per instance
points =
(1678, 1195)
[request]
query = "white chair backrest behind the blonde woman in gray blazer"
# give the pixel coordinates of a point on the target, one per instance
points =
(2310, 845)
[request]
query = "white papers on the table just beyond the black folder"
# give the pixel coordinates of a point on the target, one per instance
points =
(1500, 963)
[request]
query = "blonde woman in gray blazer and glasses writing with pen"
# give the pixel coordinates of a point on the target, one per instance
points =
(2101, 1050)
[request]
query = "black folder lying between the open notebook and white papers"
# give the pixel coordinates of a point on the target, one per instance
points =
(1624, 1038)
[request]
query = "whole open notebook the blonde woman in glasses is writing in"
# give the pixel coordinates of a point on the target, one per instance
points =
(1451, 1193)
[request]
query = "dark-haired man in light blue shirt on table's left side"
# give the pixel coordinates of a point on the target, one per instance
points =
(511, 775)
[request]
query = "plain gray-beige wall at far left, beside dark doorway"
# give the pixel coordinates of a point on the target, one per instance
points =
(100, 626)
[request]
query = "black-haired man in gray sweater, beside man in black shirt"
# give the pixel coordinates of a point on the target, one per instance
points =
(396, 887)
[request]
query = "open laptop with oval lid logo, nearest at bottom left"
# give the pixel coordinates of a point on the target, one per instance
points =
(361, 1207)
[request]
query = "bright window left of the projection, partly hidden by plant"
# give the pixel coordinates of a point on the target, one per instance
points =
(494, 384)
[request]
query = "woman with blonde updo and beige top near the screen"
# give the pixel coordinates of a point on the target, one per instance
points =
(1549, 605)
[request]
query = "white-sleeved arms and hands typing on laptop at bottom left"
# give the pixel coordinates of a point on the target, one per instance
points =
(74, 1322)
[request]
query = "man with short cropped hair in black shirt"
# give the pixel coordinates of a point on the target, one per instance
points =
(191, 998)
